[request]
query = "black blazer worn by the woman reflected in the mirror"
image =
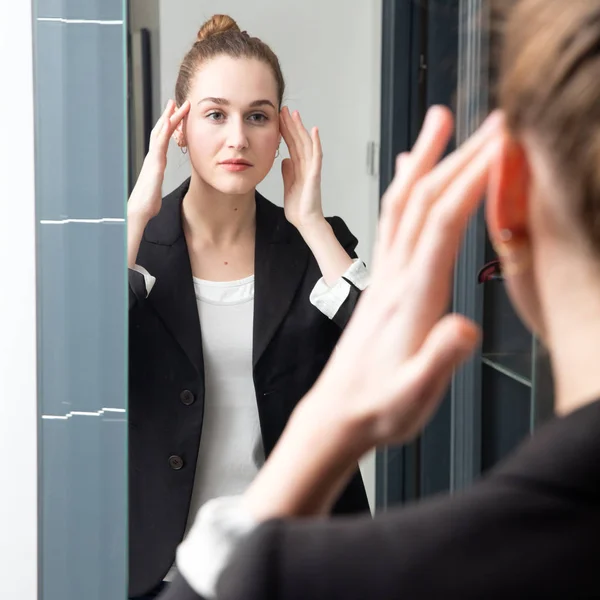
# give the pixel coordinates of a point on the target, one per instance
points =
(292, 342)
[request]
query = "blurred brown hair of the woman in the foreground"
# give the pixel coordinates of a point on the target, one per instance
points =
(550, 86)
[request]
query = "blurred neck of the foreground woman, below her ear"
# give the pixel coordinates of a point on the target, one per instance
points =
(572, 318)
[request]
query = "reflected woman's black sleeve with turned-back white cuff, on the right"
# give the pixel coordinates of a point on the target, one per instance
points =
(339, 301)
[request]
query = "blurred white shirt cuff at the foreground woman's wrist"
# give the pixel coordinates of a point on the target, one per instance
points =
(219, 527)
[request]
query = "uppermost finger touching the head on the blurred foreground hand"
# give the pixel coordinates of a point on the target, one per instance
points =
(431, 187)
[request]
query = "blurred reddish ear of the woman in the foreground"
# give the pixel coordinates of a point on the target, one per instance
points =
(508, 194)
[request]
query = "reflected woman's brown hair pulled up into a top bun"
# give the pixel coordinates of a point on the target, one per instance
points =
(221, 36)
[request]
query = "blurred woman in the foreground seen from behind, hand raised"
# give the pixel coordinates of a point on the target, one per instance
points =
(530, 528)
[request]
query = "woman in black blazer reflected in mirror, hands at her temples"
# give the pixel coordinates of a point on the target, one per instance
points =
(235, 304)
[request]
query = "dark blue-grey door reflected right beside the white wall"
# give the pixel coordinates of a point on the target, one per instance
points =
(419, 69)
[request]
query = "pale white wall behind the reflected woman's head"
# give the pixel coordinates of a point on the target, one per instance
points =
(329, 52)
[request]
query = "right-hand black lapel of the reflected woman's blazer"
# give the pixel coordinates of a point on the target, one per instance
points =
(281, 257)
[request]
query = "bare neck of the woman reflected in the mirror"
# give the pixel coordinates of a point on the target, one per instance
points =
(211, 217)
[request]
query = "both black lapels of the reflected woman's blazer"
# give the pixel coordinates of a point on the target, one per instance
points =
(280, 260)
